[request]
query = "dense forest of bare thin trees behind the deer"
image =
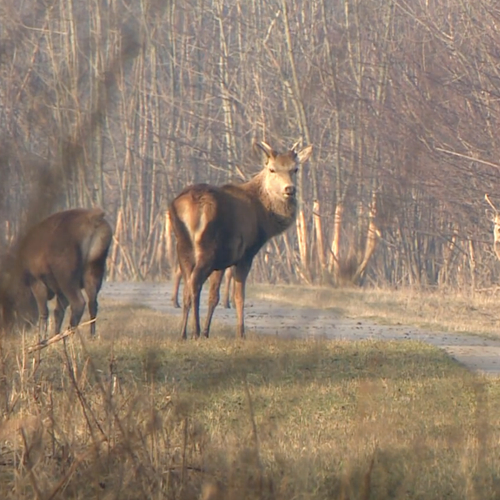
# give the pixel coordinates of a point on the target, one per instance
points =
(122, 103)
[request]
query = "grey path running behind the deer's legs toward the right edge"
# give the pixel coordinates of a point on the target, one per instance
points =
(475, 352)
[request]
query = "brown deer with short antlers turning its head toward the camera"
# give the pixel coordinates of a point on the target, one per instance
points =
(226, 226)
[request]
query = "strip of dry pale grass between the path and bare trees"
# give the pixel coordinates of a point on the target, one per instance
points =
(442, 310)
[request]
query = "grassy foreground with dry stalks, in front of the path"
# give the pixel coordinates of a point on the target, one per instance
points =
(139, 414)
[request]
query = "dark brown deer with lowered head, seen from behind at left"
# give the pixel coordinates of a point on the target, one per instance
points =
(62, 255)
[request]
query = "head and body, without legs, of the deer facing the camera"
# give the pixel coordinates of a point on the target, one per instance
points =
(234, 220)
